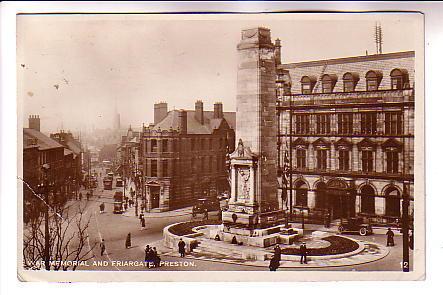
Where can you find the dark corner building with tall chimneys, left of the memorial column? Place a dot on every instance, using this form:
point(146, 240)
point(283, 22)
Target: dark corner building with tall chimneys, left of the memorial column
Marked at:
point(183, 155)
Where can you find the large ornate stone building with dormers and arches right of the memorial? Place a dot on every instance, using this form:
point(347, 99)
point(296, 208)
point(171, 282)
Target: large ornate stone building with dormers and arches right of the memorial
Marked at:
point(346, 134)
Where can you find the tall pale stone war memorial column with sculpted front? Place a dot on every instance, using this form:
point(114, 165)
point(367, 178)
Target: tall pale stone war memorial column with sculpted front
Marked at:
point(253, 213)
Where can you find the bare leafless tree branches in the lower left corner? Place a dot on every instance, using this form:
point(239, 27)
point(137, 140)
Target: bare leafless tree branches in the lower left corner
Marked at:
point(68, 240)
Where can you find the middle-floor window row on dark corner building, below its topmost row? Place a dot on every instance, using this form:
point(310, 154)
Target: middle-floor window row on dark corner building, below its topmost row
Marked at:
point(193, 165)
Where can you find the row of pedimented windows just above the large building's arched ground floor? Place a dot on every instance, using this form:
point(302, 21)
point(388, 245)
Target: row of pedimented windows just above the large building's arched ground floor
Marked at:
point(367, 160)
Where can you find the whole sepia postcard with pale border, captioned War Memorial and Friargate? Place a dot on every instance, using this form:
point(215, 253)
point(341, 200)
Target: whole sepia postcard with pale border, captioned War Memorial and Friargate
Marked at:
point(220, 147)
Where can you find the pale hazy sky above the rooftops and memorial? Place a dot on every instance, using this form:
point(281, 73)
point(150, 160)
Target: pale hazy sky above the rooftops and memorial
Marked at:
point(75, 71)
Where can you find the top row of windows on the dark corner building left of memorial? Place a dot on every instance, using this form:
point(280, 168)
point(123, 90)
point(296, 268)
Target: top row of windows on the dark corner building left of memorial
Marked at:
point(195, 144)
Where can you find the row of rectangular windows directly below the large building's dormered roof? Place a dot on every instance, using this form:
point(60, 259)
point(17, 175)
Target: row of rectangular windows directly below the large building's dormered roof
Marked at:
point(393, 123)
